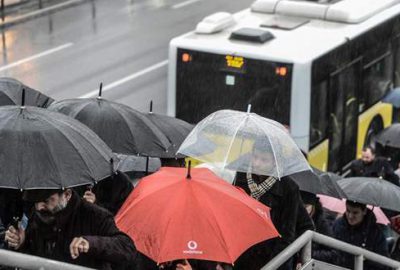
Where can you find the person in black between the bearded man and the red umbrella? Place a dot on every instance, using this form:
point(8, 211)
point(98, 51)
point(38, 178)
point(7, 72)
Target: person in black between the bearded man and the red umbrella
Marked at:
point(110, 193)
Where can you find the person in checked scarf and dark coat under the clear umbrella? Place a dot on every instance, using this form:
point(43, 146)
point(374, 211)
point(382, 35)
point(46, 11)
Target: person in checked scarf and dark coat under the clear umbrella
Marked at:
point(282, 196)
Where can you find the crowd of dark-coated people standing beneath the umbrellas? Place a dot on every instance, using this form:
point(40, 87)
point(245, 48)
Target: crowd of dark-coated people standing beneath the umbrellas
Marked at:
point(76, 225)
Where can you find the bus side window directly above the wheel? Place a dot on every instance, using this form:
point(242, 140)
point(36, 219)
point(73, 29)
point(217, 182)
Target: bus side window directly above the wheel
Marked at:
point(377, 80)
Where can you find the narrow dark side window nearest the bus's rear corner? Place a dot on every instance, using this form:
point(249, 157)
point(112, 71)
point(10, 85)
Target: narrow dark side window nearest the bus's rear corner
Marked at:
point(319, 113)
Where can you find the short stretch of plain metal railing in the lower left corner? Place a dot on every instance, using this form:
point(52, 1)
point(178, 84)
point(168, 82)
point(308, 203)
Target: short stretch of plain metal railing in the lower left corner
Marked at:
point(29, 262)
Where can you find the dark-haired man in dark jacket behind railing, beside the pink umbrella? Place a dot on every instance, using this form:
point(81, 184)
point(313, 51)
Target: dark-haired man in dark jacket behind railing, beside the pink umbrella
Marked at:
point(358, 227)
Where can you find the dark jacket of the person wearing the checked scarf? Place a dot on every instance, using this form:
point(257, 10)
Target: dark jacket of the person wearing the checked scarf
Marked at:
point(284, 200)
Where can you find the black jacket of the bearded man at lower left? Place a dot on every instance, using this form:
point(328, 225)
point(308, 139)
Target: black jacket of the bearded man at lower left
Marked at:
point(109, 248)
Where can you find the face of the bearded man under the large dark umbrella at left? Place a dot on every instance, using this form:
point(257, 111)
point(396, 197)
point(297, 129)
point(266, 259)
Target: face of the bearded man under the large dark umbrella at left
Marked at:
point(47, 209)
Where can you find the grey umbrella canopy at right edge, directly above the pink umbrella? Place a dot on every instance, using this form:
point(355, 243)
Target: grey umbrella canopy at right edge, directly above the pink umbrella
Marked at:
point(373, 191)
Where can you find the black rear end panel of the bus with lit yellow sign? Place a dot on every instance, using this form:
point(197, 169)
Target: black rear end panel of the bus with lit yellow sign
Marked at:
point(207, 82)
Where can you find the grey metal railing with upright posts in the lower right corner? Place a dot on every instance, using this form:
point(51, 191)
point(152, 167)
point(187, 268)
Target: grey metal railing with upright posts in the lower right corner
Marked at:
point(304, 242)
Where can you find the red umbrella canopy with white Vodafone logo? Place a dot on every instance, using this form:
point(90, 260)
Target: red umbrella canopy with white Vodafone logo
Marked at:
point(174, 215)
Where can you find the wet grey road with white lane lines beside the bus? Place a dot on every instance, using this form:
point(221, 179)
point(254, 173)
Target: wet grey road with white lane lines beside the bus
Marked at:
point(123, 44)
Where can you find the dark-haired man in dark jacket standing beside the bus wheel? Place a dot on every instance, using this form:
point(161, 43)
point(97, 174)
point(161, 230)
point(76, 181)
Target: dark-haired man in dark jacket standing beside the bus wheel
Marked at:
point(371, 166)
